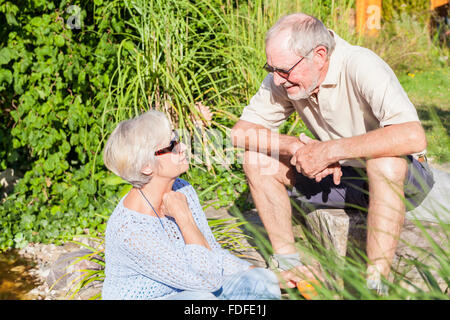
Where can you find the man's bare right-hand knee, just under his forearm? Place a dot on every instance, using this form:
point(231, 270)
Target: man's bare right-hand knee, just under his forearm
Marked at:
point(392, 169)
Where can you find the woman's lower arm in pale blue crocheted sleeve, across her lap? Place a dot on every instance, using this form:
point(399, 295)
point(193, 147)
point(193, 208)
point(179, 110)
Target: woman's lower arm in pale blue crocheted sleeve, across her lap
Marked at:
point(146, 249)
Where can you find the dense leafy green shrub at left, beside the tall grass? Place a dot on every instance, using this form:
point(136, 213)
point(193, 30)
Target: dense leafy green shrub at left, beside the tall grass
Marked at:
point(53, 84)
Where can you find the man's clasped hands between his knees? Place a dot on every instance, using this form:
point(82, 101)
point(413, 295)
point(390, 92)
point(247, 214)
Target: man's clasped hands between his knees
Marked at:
point(311, 160)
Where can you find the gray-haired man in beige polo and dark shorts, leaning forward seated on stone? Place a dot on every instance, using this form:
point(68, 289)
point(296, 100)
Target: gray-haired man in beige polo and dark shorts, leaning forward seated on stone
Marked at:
point(364, 125)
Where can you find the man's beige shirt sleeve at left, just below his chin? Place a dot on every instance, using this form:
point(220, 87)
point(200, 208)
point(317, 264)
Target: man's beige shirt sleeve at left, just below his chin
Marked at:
point(269, 107)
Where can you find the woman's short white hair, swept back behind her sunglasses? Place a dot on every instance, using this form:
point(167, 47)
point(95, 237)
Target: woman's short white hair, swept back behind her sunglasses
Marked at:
point(132, 145)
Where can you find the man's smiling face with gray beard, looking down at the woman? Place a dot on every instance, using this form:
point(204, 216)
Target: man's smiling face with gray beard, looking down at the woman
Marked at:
point(303, 79)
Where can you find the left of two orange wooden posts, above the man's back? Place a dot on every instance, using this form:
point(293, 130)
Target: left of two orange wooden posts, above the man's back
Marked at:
point(368, 16)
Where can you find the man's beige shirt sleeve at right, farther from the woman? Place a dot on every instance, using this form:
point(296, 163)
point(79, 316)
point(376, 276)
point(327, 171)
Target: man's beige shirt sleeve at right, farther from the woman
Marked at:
point(381, 89)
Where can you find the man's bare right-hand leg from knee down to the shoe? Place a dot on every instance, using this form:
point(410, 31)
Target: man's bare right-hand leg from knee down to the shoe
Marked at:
point(386, 211)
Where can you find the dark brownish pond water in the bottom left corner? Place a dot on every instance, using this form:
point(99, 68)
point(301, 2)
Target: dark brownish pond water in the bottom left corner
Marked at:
point(15, 279)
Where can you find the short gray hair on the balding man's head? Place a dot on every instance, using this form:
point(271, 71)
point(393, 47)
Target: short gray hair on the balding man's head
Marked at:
point(305, 33)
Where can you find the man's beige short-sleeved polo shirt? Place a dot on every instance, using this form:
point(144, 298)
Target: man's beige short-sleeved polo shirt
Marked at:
point(360, 93)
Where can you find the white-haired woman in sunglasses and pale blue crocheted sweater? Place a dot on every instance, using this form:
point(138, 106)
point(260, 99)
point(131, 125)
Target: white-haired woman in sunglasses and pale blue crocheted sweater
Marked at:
point(158, 244)
